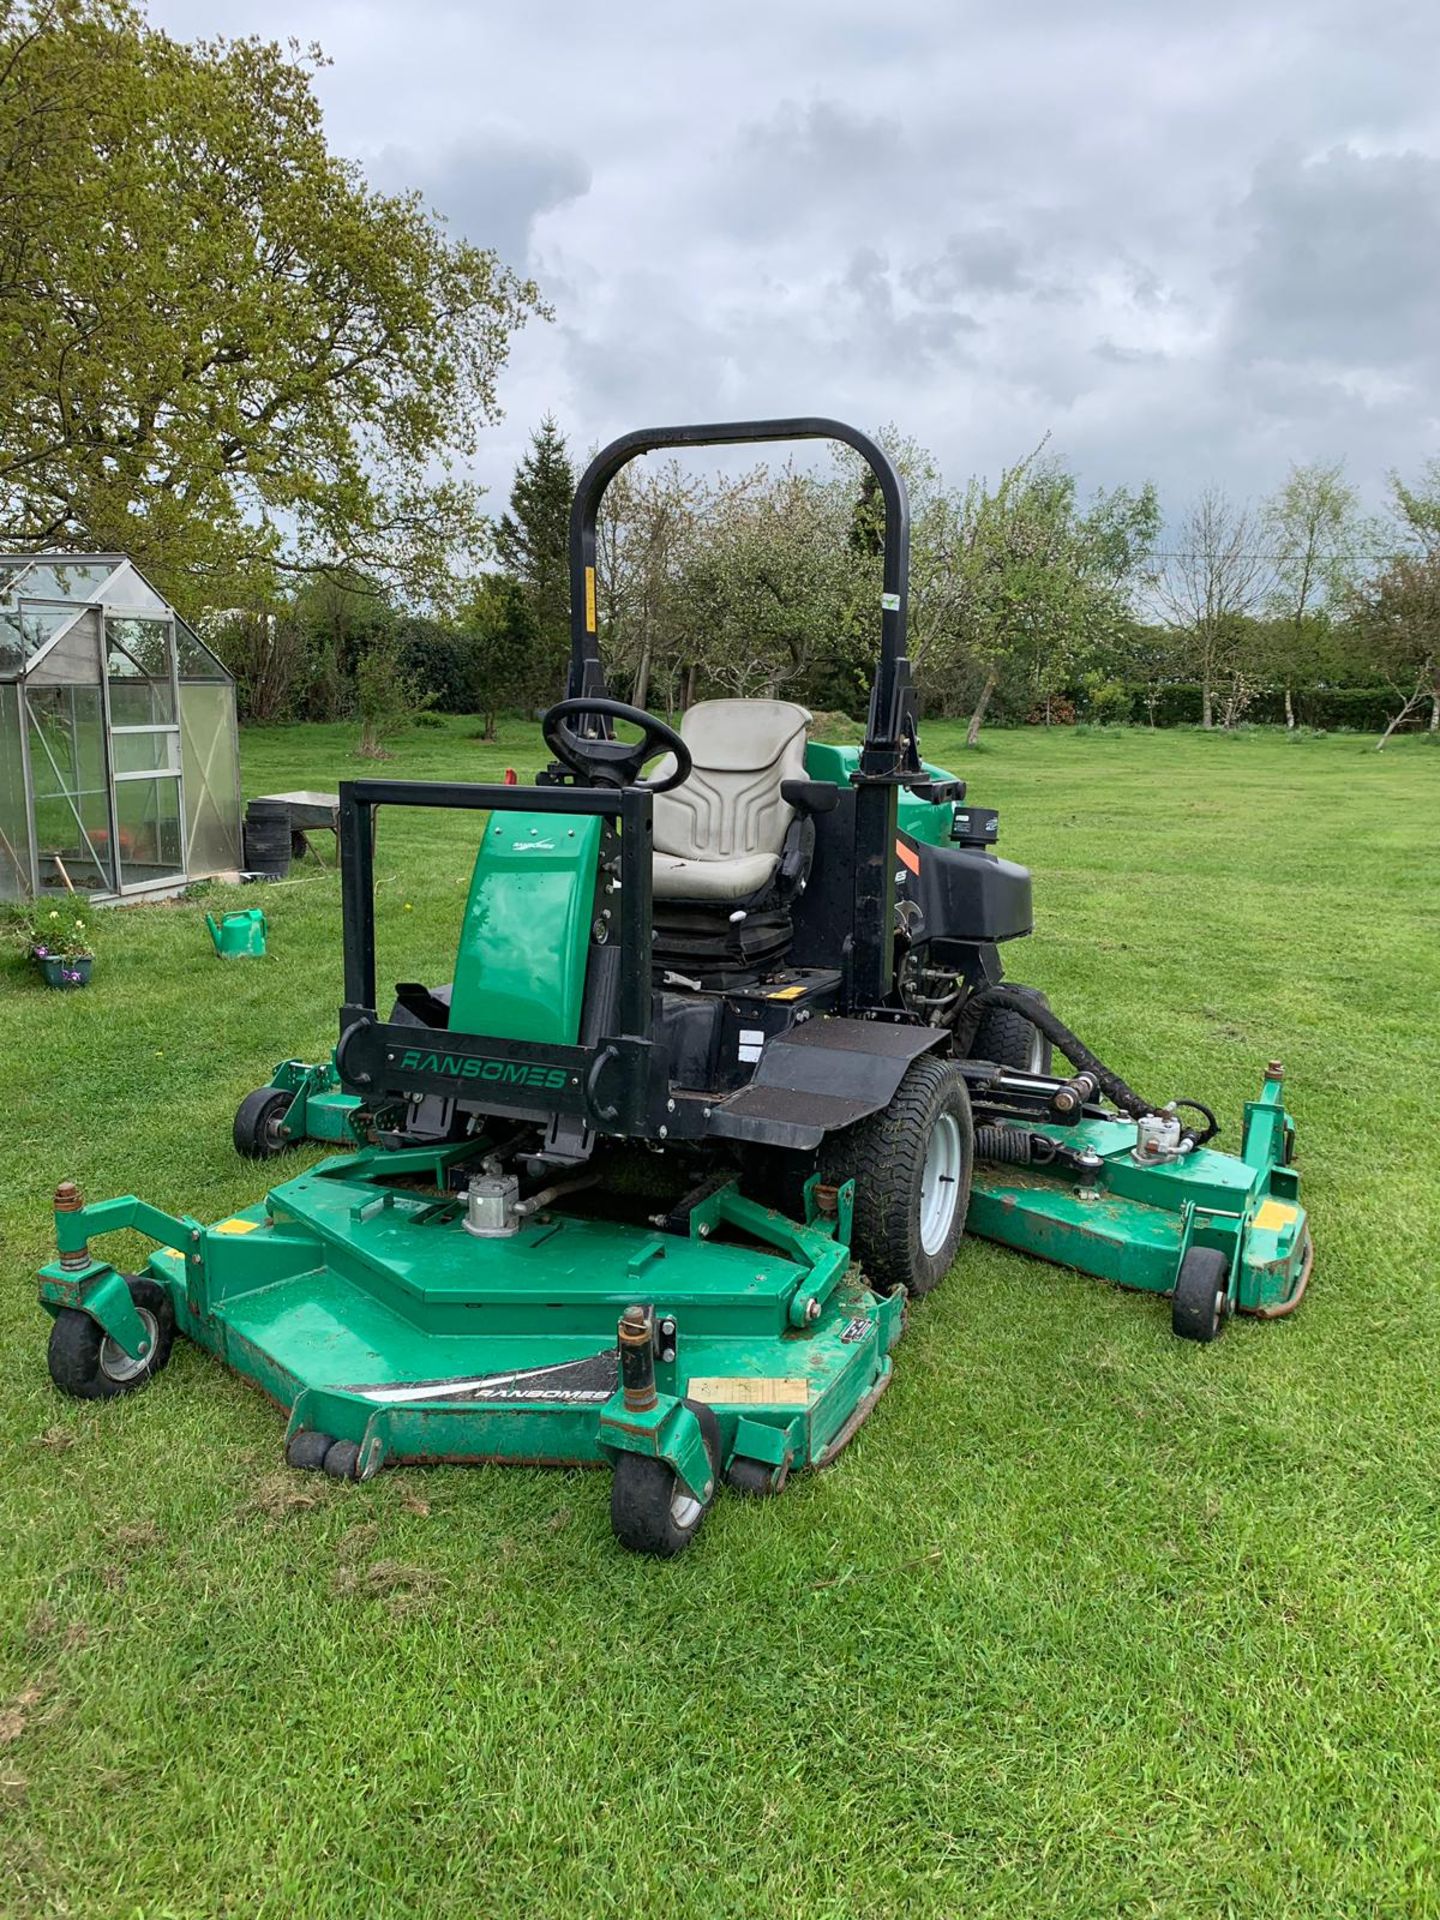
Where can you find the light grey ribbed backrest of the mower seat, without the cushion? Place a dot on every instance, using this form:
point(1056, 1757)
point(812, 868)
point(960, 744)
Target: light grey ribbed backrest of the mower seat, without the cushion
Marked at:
point(731, 804)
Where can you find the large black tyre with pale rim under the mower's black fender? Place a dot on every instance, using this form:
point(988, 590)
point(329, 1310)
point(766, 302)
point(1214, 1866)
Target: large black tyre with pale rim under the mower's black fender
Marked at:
point(911, 1166)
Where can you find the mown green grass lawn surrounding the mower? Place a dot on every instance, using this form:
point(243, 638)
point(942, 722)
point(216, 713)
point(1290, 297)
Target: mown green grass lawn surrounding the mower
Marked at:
point(1088, 1620)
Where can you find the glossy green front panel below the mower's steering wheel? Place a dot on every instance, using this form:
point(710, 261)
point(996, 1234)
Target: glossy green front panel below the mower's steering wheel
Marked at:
point(521, 963)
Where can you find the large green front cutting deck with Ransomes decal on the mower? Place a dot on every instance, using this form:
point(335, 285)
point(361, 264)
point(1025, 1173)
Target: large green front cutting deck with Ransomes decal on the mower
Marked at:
point(370, 1312)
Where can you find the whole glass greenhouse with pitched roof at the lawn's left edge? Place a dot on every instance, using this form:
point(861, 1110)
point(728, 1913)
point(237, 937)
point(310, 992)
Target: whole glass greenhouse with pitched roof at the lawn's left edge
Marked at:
point(120, 769)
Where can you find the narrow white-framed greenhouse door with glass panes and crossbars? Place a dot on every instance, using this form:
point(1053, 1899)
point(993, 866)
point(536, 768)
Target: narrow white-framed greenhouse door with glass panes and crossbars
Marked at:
point(145, 754)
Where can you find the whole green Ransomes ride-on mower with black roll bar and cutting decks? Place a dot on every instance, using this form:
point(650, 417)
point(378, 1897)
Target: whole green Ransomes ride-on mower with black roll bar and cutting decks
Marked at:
point(725, 1070)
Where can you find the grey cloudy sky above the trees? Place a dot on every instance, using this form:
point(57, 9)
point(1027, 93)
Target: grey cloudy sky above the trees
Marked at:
point(1191, 243)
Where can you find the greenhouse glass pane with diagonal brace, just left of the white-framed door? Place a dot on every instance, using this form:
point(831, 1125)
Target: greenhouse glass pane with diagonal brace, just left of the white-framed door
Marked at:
point(70, 786)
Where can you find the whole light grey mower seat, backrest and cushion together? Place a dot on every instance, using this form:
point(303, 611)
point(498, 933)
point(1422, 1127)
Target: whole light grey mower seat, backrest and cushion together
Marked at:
point(719, 836)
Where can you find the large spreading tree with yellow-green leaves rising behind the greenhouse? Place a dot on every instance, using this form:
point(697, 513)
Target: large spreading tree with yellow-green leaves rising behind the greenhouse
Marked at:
point(220, 348)
